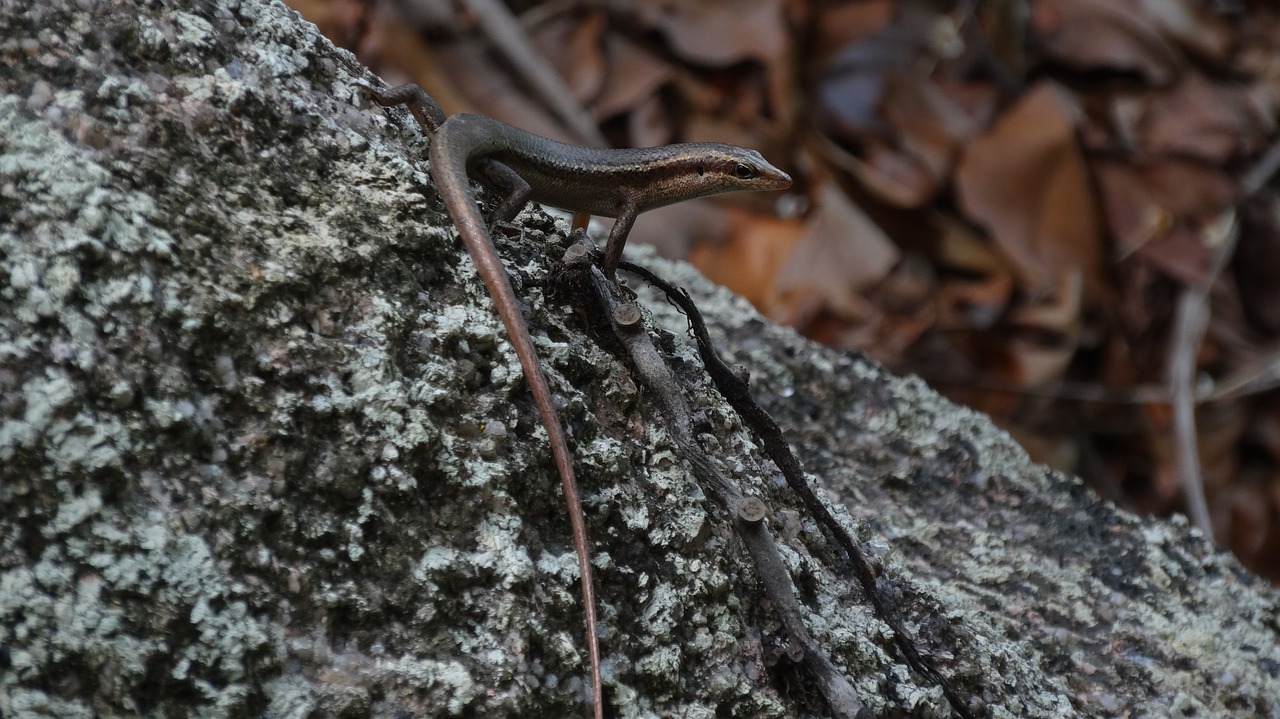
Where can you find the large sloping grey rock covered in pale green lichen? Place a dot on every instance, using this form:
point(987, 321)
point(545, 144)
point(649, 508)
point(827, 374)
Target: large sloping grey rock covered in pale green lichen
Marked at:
point(266, 451)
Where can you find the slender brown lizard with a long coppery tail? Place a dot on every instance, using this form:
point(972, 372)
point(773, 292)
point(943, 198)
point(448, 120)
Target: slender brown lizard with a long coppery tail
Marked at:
point(612, 184)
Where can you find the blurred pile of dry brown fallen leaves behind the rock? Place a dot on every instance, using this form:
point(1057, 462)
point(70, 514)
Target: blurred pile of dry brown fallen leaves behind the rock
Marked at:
point(1058, 212)
